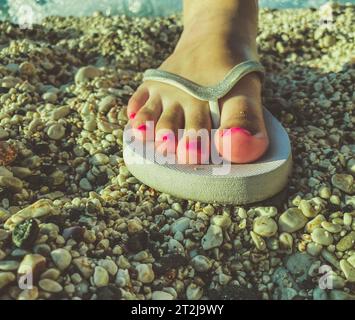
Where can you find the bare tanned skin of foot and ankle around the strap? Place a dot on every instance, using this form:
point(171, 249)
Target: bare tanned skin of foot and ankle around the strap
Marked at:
point(217, 35)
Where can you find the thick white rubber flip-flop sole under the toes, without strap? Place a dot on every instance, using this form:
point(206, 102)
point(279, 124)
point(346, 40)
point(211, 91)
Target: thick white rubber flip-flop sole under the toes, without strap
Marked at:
point(246, 183)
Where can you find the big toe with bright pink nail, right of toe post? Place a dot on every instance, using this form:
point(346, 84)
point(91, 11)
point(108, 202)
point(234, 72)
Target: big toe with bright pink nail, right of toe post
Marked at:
point(242, 137)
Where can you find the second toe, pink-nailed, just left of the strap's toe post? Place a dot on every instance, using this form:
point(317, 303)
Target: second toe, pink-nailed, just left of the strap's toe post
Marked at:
point(194, 146)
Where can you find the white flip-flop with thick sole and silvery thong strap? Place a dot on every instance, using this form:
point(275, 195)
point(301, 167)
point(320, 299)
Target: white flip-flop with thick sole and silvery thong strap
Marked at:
point(245, 183)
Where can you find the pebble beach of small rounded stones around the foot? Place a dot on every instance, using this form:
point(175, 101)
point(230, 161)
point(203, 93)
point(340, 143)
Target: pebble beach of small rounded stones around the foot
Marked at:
point(71, 212)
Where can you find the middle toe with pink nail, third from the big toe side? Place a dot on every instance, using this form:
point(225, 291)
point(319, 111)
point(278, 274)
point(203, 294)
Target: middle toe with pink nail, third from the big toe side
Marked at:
point(166, 133)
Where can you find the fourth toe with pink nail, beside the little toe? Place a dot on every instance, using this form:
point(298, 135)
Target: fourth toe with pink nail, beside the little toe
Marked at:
point(146, 118)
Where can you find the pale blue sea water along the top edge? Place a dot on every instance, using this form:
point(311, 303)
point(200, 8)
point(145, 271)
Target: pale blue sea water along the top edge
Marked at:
point(16, 9)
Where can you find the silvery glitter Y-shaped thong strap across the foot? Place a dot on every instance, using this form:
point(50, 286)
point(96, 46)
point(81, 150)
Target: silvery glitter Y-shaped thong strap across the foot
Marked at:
point(211, 94)
